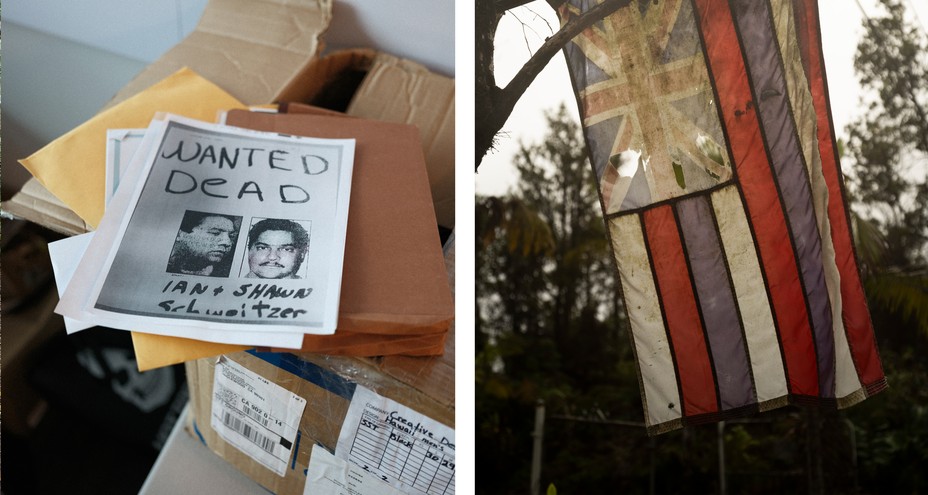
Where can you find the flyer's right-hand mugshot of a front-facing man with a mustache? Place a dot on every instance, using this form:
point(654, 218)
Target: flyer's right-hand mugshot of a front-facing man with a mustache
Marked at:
point(276, 249)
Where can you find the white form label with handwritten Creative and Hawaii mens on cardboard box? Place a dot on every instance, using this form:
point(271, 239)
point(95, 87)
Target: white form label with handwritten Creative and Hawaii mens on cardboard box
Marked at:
point(398, 445)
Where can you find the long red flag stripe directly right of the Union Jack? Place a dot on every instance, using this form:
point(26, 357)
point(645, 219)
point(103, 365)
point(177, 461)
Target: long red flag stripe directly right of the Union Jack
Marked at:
point(760, 193)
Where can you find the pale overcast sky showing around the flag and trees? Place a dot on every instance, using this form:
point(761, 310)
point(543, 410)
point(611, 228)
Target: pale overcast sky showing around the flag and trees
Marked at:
point(841, 28)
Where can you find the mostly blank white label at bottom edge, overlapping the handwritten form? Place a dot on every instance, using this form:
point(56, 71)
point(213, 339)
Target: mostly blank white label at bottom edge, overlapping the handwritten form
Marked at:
point(329, 475)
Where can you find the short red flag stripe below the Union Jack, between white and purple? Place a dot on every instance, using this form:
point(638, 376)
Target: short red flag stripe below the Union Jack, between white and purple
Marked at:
point(687, 336)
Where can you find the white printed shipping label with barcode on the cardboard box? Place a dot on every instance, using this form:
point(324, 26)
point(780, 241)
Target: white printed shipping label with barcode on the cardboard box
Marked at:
point(256, 416)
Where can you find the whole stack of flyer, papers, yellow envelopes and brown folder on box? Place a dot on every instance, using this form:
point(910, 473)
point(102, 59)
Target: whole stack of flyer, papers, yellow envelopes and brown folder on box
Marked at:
point(312, 231)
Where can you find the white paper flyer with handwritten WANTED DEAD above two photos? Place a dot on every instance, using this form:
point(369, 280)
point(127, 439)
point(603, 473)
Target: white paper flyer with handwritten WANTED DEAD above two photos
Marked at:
point(219, 228)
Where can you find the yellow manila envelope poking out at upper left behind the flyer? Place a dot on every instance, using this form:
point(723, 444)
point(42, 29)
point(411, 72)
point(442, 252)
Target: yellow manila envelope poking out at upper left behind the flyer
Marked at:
point(73, 167)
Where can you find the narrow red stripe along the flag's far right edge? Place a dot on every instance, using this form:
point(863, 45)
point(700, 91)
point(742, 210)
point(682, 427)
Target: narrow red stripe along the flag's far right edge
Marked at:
point(856, 316)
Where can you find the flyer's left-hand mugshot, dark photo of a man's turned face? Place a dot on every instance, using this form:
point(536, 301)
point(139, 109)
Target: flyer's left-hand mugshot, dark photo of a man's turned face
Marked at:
point(204, 244)
